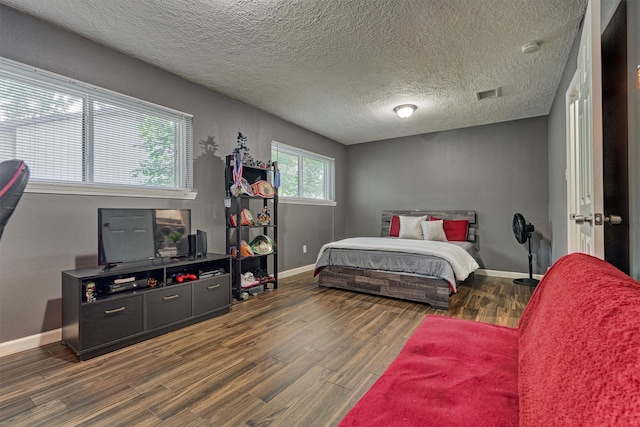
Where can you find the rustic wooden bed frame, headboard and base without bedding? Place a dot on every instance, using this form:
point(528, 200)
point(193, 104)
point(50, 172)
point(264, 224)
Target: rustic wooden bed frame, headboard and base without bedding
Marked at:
point(434, 292)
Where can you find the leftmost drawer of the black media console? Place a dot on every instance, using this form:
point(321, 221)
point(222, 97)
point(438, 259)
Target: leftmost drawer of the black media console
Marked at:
point(103, 322)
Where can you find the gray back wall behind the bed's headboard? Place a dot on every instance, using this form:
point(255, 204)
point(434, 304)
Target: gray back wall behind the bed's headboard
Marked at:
point(496, 170)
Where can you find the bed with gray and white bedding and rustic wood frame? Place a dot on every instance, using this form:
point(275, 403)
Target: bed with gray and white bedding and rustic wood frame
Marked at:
point(412, 269)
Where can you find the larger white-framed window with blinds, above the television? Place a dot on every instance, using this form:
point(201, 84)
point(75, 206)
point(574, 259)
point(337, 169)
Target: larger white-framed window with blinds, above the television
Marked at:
point(82, 139)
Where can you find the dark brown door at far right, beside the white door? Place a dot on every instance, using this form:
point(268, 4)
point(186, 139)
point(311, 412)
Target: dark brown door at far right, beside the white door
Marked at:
point(615, 138)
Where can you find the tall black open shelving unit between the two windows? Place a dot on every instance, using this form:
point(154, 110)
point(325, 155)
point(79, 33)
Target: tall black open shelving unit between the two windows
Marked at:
point(264, 265)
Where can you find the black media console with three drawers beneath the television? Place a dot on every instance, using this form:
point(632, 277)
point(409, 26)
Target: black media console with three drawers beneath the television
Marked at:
point(104, 310)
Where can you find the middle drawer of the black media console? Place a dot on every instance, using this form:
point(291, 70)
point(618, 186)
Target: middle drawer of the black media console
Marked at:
point(168, 305)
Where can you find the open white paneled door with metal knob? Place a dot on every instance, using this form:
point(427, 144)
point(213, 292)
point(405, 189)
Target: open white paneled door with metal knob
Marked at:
point(584, 143)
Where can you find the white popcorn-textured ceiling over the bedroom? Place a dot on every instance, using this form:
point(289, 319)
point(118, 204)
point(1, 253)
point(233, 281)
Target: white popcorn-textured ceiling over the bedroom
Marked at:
point(339, 67)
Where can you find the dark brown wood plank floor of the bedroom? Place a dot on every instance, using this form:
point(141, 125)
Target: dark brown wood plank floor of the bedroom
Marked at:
point(298, 356)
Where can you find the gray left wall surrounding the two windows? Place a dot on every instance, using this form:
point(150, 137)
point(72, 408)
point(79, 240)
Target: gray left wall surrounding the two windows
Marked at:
point(50, 233)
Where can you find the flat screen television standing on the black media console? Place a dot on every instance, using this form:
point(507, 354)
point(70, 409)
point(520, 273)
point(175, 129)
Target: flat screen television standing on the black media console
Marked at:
point(129, 235)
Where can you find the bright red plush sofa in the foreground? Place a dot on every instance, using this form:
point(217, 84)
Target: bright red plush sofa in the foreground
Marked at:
point(574, 360)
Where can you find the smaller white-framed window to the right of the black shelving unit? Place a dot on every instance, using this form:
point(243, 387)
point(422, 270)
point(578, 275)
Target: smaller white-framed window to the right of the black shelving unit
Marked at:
point(304, 176)
